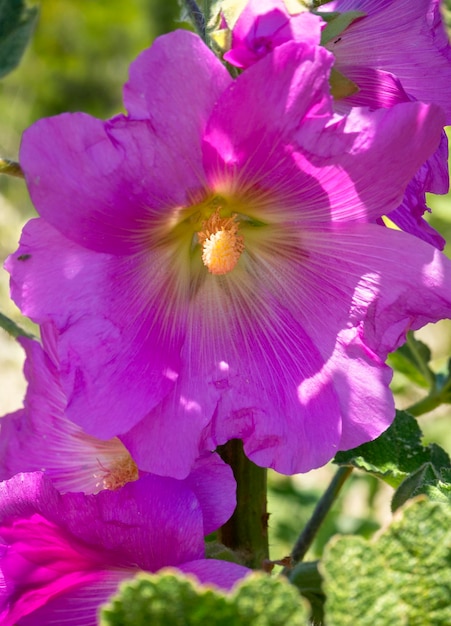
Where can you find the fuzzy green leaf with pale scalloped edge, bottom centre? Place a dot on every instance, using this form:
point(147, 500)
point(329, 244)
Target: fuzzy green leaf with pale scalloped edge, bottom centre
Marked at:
point(172, 598)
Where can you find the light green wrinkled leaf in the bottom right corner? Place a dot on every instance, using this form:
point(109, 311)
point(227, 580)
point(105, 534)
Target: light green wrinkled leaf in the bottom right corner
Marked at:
point(402, 578)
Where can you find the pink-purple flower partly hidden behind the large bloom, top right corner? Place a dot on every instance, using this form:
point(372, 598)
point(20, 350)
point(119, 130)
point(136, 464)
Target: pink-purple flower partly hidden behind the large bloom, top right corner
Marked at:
point(399, 40)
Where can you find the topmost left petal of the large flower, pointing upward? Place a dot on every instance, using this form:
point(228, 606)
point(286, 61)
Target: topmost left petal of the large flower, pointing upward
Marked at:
point(162, 81)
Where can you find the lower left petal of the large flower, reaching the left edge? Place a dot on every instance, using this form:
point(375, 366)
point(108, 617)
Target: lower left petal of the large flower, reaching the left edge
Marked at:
point(114, 304)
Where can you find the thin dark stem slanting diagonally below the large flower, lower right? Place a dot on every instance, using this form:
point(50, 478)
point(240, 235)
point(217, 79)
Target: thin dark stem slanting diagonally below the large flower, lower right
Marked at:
point(323, 507)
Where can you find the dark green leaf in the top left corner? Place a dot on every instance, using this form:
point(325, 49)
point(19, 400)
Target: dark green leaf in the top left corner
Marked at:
point(17, 23)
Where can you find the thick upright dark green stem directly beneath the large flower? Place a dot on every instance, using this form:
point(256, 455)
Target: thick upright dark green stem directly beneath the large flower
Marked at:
point(246, 532)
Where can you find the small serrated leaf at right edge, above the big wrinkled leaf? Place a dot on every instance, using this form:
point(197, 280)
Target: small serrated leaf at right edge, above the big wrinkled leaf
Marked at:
point(429, 479)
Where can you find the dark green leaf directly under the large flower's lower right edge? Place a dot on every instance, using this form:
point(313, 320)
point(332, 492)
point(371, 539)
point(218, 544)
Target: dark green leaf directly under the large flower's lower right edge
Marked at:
point(397, 453)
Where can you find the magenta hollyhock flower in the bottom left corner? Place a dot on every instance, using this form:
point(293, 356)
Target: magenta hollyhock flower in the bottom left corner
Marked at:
point(66, 554)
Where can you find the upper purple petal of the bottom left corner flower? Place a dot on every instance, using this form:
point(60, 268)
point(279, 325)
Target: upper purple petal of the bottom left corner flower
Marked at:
point(162, 517)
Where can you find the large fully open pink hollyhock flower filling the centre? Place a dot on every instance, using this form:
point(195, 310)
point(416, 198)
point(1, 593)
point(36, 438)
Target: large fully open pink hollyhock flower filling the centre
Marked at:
point(212, 264)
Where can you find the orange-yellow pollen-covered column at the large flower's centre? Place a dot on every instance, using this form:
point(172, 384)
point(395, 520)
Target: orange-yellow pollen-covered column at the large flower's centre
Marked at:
point(221, 244)
